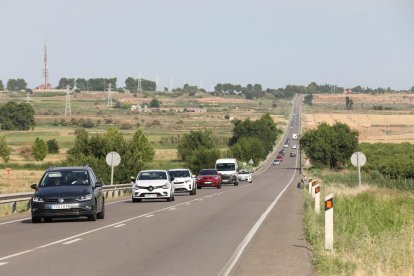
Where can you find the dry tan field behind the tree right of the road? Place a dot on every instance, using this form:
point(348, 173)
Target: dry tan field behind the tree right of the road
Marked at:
point(391, 126)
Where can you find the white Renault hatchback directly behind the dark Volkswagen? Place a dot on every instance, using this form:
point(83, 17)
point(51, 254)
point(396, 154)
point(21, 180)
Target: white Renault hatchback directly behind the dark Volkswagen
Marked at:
point(153, 184)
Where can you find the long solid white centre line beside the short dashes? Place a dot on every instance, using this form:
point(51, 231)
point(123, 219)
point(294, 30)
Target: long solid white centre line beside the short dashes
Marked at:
point(105, 227)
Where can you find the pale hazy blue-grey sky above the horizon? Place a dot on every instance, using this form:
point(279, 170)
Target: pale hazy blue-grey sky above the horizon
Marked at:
point(275, 43)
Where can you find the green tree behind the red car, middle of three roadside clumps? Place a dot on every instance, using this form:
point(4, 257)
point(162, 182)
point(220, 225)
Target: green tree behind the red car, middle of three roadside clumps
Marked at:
point(195, 140)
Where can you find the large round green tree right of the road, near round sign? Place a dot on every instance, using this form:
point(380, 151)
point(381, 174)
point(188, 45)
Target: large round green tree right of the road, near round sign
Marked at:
point(329, 146)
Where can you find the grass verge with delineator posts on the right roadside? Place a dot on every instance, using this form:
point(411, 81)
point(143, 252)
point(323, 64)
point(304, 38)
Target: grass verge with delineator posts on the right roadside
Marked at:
point(373, 230)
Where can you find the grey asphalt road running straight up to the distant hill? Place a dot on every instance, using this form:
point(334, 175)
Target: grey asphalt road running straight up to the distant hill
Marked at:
point(212, 233)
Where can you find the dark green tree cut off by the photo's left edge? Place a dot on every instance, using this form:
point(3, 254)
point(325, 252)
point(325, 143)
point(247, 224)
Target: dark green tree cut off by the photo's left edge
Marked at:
point(15, 116)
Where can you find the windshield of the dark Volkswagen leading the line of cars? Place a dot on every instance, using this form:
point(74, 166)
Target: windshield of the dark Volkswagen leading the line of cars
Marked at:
point(65, 178)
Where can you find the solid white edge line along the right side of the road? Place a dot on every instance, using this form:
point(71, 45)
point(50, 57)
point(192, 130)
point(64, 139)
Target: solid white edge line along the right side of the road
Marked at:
point(239, 250)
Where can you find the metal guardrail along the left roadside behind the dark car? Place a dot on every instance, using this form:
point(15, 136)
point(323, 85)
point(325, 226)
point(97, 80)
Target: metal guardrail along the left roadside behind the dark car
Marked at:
point(113, 190)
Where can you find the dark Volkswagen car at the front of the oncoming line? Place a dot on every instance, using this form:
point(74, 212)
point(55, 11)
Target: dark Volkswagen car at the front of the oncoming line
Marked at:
point(67, 192)
